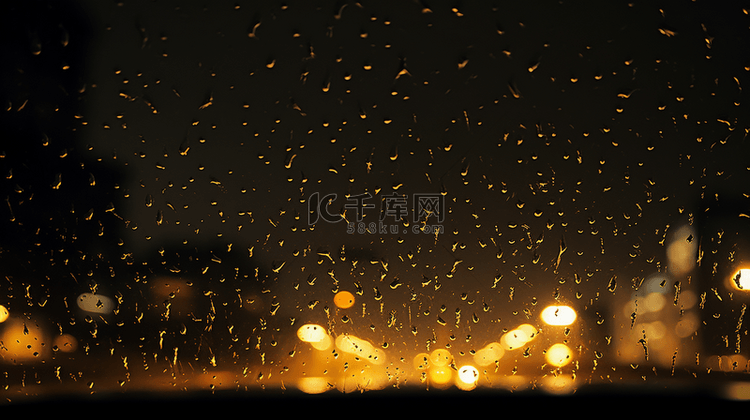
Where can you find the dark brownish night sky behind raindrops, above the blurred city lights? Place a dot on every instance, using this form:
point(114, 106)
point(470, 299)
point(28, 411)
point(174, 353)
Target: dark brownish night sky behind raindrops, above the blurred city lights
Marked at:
point(597, 153)
